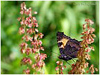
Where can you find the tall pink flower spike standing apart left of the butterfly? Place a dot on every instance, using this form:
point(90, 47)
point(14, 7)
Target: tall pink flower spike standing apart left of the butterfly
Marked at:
point(31, 41)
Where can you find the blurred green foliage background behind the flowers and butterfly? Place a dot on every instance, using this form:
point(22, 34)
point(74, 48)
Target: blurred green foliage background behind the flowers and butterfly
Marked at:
point(53, 16)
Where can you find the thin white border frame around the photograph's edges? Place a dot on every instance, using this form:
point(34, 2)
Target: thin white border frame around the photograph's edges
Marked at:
point(49, 0)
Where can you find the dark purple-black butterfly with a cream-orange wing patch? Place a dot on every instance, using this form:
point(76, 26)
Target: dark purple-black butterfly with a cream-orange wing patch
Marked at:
point(68, 47)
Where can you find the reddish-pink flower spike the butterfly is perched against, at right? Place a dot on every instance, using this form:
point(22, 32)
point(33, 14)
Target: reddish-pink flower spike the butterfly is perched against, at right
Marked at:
point(83, 54)
